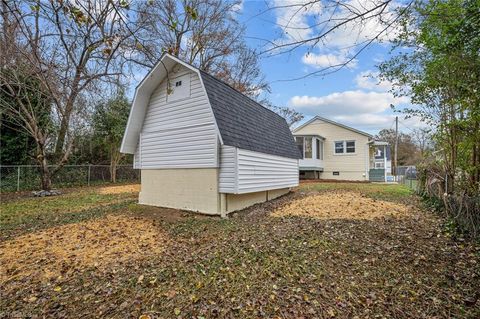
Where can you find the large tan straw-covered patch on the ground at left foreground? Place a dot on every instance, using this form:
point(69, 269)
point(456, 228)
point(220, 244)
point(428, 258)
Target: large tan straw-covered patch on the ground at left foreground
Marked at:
point(67, 249)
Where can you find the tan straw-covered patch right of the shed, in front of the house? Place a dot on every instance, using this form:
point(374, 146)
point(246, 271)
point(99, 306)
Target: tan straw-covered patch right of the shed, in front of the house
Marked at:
point(341, 205)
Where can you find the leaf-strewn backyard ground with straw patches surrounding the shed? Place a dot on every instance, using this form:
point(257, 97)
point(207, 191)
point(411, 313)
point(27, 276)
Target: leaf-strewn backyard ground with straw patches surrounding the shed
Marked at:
point(325, 251)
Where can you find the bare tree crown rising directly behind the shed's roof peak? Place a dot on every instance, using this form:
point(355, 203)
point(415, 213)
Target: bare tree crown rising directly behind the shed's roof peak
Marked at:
point(204, 33)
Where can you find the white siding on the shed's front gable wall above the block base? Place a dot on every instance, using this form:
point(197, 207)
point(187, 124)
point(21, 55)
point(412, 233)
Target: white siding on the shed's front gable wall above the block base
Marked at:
point(180, 133)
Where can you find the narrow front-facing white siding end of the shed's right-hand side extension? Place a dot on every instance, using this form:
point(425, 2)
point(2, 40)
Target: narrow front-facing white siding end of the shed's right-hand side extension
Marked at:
point(228, 169)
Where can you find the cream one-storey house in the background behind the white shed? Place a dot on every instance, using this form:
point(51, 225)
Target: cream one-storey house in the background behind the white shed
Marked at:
point(331, 150)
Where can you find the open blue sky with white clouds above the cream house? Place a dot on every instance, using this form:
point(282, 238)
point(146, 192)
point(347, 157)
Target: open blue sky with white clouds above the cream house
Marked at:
point(350, 95)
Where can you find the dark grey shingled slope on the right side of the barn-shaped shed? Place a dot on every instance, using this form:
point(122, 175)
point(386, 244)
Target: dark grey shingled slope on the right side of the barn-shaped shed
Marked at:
point(245, 124)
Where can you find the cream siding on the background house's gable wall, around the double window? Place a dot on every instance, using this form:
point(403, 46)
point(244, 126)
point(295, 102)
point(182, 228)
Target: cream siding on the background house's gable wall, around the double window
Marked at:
point(350, 166)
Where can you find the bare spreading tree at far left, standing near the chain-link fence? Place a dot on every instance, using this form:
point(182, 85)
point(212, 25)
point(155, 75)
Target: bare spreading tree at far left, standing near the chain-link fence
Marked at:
point(61, 50)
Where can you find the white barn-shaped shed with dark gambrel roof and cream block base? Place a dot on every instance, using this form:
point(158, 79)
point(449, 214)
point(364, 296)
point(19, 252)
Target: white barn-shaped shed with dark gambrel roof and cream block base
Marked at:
point(203, 146)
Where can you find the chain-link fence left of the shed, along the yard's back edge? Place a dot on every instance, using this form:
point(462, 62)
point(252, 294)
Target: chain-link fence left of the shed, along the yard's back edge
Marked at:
point(27, 177)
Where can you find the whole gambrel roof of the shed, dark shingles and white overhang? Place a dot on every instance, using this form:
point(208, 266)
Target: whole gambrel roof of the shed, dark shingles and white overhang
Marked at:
point(241, 121)
